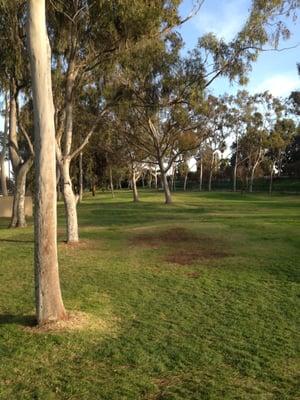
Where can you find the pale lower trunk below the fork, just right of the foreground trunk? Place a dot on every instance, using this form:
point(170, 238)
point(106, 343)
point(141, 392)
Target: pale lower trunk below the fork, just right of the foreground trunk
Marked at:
point(70, 202)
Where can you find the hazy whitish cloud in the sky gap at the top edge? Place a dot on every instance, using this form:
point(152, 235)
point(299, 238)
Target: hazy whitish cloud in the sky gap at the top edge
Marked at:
point(225, 20)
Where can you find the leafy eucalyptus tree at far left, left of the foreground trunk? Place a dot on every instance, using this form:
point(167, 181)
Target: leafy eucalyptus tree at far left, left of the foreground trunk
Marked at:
point(15, 77)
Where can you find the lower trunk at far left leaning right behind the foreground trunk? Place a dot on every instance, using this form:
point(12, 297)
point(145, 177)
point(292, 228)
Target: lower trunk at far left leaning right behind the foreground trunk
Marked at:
point(18, 219)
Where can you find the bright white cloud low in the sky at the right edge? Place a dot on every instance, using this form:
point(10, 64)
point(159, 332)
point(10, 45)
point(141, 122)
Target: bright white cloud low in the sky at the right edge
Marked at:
point(278, 84)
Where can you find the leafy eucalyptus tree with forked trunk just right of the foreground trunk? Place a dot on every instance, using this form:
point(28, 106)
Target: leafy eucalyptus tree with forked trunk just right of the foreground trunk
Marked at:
point(87, 38)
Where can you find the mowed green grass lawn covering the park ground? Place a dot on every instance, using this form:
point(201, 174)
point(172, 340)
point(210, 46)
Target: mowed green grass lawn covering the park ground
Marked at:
point(198, 300)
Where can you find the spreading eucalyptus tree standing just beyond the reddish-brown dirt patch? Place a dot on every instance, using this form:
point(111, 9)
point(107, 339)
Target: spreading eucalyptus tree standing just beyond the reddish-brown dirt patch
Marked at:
point(160, 93)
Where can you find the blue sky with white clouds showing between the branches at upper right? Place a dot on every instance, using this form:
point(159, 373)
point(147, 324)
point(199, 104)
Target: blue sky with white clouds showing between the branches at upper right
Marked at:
point(273, 71)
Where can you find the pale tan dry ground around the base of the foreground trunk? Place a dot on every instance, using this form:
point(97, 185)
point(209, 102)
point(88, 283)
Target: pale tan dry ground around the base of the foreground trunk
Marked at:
point(76, 320)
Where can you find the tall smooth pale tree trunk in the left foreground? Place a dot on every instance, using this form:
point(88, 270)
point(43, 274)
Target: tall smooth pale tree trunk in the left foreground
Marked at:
point(49, 304)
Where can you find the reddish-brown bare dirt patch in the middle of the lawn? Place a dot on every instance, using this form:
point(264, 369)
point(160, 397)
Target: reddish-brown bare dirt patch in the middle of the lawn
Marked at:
point(184, 247)
